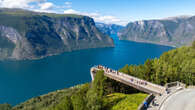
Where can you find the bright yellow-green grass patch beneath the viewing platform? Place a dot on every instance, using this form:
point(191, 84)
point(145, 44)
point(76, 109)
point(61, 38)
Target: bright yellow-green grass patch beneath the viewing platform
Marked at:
point(119, 101)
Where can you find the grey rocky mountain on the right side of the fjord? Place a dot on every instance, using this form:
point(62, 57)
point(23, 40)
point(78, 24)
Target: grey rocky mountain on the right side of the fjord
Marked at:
point(175, 31)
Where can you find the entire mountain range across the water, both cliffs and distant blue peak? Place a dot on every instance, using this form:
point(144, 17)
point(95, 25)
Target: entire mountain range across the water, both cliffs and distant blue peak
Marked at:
point(33, 35)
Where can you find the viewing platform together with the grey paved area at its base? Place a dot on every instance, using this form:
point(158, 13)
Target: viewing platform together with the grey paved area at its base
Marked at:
point(171, 96)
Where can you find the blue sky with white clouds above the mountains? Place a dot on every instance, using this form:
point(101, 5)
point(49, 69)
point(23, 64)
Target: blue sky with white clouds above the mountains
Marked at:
point(109, 11)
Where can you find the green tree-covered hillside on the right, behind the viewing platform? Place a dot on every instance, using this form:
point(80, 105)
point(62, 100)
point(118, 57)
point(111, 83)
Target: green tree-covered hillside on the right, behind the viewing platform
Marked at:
point(175, 65)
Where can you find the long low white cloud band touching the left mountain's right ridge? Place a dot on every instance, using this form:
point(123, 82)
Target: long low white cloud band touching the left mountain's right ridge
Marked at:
point(98, 17)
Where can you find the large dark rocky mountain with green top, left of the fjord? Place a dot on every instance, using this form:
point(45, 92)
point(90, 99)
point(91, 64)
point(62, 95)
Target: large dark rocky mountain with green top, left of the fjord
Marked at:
point(32, 35)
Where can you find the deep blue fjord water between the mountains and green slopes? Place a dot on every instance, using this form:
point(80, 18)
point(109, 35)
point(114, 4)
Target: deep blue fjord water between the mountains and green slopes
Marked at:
point(21, 80)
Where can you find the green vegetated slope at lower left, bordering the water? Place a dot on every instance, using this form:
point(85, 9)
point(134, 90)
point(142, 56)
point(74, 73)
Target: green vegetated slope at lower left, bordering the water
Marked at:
point(48, 101)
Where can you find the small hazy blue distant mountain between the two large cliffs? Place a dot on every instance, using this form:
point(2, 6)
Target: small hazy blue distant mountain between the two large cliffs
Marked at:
point(109, 28)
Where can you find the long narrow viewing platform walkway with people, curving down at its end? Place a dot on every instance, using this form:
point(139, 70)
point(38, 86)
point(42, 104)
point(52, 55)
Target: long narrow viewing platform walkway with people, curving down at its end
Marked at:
point(132, 81)
